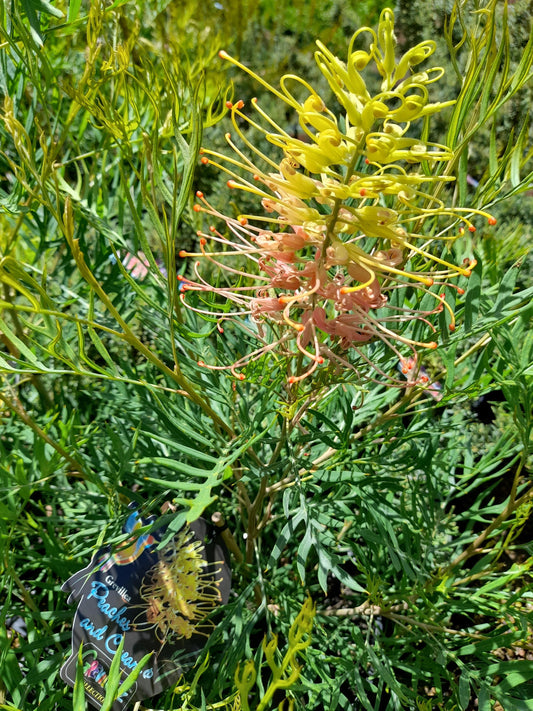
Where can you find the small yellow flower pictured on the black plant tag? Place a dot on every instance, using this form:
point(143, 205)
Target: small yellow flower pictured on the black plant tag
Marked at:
point(179, 591)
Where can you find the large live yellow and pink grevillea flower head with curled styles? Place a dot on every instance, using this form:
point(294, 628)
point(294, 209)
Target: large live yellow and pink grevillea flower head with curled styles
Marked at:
point(340, 257)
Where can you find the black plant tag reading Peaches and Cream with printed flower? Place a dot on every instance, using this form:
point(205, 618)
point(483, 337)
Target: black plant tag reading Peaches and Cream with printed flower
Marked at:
point(155, 599)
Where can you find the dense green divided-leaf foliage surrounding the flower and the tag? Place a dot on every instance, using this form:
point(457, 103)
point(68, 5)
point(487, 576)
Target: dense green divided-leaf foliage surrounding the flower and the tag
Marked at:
point(406, 519)
